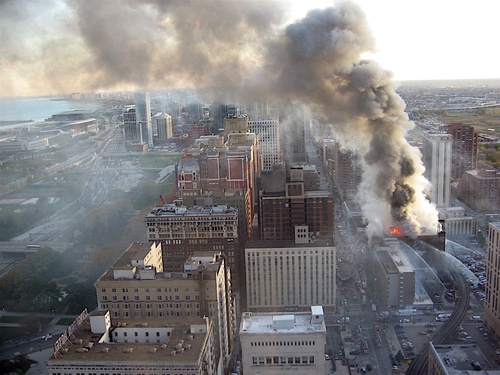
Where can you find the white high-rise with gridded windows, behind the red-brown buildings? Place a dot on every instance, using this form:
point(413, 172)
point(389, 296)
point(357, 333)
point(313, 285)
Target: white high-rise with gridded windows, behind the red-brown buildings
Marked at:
point(268, 139)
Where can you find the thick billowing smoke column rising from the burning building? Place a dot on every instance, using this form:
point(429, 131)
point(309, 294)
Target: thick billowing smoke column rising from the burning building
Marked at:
point(318, 61)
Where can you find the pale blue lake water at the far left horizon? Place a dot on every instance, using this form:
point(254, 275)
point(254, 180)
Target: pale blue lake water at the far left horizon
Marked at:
point(38, 109)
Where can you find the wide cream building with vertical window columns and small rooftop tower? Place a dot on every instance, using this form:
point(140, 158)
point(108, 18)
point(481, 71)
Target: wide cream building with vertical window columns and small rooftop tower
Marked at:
point(290, 274)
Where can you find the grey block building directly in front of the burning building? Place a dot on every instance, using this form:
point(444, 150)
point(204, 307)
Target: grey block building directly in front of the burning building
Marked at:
point(394, 275)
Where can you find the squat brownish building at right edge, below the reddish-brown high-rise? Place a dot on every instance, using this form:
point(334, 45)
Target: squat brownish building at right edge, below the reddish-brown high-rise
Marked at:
point(480, 190)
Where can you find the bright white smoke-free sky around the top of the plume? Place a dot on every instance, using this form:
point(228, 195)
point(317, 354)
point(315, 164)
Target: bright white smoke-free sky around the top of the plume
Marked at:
point(432, 39)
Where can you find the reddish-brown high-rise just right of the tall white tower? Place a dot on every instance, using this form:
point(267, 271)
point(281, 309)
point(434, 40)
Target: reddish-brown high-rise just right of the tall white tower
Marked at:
point(464, 149)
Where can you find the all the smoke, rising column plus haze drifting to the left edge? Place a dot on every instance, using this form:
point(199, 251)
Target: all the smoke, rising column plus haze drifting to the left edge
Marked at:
point(317, 61)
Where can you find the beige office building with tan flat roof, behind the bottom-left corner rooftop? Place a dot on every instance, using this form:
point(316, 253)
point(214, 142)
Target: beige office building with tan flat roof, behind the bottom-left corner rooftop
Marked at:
point(133, 290)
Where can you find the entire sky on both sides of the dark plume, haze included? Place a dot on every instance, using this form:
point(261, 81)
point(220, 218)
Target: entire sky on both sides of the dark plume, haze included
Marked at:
point(62, 46)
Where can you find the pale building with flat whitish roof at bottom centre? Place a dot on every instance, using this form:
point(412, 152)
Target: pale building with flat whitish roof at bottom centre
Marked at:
point(283, 343)
